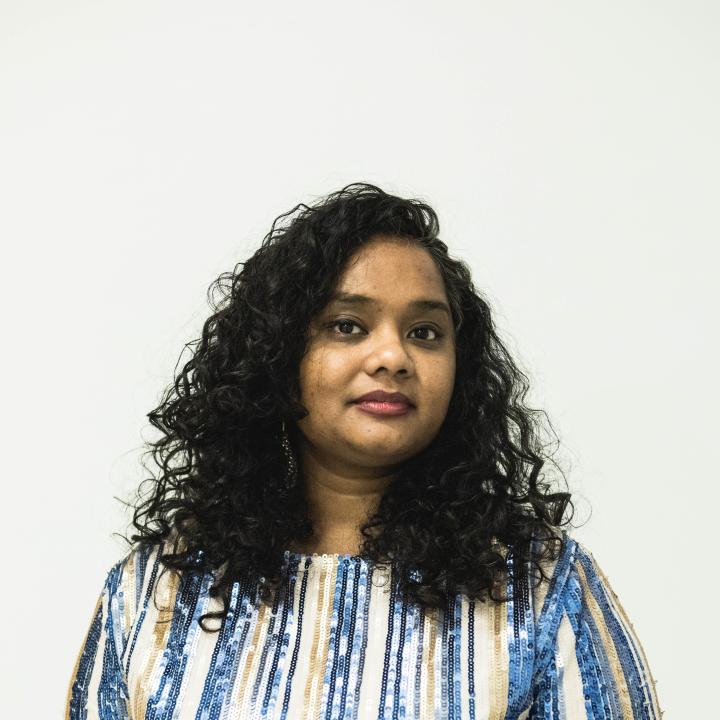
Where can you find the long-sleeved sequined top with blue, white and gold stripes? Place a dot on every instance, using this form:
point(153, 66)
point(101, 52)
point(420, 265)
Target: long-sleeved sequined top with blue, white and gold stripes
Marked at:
point(339, 643)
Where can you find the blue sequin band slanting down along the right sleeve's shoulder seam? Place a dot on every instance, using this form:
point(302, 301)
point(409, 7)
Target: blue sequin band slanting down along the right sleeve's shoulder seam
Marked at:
point(552, 610)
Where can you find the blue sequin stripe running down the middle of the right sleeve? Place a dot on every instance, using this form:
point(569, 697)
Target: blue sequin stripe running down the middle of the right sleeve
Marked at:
point(589, 652)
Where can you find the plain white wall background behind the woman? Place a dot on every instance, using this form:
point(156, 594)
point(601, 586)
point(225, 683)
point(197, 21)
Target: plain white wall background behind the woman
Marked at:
point(571, 151)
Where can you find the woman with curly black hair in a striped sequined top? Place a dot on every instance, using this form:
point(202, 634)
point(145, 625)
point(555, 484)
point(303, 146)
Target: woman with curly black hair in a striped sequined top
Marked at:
point(349, 519)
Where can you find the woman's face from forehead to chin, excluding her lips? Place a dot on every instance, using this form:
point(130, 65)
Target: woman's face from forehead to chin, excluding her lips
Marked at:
point(390, 342)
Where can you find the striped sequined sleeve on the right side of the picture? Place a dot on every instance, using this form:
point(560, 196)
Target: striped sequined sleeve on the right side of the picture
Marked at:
point(594, 666)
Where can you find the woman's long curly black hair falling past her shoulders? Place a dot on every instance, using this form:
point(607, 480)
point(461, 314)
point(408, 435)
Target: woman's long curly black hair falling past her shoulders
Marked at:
point(459, 516)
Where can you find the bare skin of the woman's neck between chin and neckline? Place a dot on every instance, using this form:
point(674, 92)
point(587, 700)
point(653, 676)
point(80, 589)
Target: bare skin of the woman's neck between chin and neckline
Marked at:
point(340, 498)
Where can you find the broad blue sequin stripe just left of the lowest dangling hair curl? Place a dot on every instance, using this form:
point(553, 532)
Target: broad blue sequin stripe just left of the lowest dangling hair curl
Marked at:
point(183, 630)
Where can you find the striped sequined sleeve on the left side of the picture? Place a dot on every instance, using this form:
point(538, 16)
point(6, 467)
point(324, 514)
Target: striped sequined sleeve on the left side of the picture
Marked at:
point(98, 687)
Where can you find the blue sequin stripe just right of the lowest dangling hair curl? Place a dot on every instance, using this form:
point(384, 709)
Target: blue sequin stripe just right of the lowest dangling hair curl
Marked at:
point(223, 656)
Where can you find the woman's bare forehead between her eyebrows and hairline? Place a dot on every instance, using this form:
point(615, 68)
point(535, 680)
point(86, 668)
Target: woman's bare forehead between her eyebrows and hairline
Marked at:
point(391, 269)
